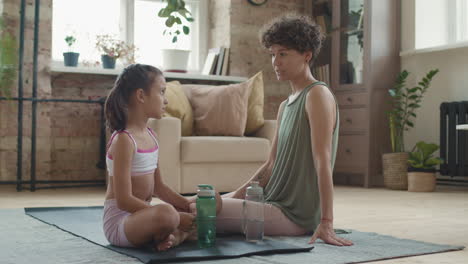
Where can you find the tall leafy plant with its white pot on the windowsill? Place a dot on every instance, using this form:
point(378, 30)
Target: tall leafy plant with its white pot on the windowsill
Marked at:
point(177, 22)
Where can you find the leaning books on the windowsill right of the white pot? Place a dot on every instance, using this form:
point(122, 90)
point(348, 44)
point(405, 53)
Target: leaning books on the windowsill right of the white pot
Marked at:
point(216, 62)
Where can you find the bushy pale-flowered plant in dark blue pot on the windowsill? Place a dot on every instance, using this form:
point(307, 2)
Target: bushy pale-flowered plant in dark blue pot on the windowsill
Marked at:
point(112, 49)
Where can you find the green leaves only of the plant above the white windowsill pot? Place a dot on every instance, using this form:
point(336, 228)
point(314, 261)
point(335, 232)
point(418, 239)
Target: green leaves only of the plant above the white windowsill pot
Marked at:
point(175, 13)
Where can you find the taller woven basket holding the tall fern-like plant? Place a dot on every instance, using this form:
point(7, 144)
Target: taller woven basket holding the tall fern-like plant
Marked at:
point(395, 170)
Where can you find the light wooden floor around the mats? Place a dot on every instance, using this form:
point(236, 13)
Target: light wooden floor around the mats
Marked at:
point(438, 217)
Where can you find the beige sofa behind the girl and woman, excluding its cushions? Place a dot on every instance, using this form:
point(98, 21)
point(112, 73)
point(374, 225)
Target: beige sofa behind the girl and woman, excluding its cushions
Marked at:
point(224, 162)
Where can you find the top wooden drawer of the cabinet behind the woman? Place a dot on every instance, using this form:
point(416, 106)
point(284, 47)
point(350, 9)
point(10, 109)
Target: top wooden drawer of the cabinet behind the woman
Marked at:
point(353, 120)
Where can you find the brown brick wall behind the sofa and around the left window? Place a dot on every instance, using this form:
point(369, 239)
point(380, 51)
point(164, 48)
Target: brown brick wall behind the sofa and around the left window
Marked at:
point(68, 133)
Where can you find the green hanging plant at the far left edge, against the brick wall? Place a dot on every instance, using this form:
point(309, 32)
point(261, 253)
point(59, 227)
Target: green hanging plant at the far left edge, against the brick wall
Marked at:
point(8, 61)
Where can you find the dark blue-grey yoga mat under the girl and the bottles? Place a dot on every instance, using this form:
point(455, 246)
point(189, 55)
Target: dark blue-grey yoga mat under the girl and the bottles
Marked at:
point(86, 222)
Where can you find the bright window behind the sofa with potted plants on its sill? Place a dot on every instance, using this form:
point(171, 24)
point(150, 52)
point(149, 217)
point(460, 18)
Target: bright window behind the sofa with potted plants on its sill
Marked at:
point(134, 21)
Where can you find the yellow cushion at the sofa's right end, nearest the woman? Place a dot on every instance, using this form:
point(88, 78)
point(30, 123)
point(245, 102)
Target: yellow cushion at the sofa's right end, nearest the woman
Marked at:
point(255, 118)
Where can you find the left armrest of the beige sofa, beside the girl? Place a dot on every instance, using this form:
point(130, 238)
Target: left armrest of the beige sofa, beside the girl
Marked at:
point(168, 132)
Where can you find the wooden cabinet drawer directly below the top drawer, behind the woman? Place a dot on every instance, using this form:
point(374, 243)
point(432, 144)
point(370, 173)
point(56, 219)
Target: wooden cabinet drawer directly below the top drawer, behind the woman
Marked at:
point(351, 155)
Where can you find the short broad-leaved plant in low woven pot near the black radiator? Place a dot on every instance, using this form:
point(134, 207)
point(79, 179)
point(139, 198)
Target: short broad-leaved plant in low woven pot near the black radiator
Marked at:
point(421, 171)
